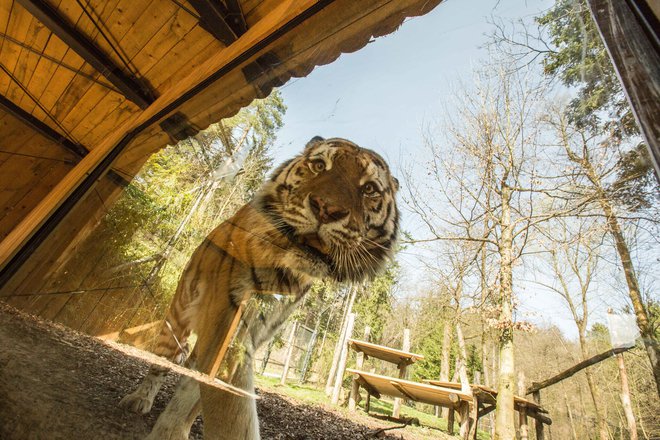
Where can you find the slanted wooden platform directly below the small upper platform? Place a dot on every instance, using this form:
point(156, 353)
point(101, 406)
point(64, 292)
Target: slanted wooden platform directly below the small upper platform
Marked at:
point(406, 389)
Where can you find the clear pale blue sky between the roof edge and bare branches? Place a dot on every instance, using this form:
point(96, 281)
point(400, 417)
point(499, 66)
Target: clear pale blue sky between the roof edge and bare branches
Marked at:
point(382, 97)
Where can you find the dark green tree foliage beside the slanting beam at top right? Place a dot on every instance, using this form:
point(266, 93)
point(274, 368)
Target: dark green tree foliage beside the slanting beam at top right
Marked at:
point(581, 61)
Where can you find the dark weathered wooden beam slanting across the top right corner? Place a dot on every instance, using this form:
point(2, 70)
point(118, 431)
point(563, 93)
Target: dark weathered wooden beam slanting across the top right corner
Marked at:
point(629, 30)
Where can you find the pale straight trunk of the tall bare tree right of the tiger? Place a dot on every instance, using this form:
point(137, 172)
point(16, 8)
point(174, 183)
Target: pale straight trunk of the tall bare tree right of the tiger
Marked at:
point(505, 414)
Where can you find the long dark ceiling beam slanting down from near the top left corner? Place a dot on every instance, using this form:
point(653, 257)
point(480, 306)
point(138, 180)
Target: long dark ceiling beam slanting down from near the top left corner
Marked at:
point(129, 85)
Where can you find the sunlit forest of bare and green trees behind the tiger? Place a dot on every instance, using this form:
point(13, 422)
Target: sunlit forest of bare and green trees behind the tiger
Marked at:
point(539, 187)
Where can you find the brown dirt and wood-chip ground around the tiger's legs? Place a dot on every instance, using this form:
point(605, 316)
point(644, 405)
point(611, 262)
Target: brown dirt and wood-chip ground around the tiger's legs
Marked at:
point(56, 383)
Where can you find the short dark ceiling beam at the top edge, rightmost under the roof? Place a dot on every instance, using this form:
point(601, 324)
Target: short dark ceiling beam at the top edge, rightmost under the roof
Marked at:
point(224, 21)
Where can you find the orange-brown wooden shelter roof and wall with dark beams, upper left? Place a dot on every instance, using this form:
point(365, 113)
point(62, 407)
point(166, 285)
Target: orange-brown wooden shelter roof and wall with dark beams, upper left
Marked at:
point(89, 90)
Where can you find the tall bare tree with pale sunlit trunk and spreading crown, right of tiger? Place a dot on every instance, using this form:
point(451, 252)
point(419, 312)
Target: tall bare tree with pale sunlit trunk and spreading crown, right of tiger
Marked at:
point(491, 193)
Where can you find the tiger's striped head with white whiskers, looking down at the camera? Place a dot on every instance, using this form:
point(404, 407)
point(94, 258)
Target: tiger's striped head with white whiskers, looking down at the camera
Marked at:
point(336, 201)
